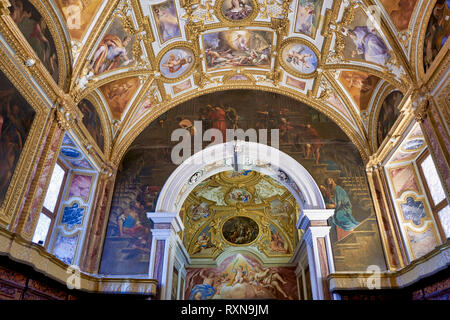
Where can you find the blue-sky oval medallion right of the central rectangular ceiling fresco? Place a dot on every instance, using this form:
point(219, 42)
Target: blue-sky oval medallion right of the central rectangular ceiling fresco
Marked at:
point(298, 58)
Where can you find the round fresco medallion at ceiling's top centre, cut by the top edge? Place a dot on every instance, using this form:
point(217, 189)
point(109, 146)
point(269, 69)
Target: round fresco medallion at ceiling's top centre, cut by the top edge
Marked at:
point(237, 10)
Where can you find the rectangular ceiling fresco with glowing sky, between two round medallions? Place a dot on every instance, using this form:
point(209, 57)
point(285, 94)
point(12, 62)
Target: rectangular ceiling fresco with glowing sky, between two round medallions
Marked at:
point(236, 48)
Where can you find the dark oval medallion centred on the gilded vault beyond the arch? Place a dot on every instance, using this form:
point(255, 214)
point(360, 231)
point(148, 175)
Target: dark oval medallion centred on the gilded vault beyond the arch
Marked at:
point(240, 230)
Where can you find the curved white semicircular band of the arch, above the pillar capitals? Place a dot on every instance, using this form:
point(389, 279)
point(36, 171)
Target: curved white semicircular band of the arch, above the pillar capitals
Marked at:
point(255, 156)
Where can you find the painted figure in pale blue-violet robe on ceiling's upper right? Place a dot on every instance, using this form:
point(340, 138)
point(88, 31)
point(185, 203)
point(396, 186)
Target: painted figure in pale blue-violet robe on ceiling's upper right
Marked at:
point(368, 44)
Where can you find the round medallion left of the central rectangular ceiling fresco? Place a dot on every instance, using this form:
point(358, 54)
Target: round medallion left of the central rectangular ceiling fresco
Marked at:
point(176, 63)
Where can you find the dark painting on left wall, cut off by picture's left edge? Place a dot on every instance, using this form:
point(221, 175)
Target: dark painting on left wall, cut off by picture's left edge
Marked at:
point(16, 117)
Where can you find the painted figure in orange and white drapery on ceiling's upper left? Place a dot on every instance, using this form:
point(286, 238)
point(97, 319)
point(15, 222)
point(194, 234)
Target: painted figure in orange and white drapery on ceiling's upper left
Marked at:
point(109, 52)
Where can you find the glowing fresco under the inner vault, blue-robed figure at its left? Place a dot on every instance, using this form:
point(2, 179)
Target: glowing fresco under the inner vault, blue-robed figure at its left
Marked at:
point(241, 276)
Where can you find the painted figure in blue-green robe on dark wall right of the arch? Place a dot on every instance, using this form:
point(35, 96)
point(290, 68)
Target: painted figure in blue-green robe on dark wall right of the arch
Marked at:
point(342, 219)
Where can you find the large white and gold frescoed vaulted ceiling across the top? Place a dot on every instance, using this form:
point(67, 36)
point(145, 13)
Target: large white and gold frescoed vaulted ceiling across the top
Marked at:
point(135, 59)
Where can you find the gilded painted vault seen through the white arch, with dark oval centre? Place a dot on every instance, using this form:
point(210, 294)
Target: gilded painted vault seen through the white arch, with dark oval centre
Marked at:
point(239, 209)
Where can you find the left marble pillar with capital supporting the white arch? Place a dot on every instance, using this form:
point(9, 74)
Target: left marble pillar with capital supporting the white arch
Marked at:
point(166, 225)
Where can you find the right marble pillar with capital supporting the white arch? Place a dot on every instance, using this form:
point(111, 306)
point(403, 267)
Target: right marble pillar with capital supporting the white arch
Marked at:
point(320, 257)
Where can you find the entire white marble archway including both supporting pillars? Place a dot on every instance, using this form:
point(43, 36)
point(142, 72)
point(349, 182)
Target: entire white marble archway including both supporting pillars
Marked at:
point(254, 157)
